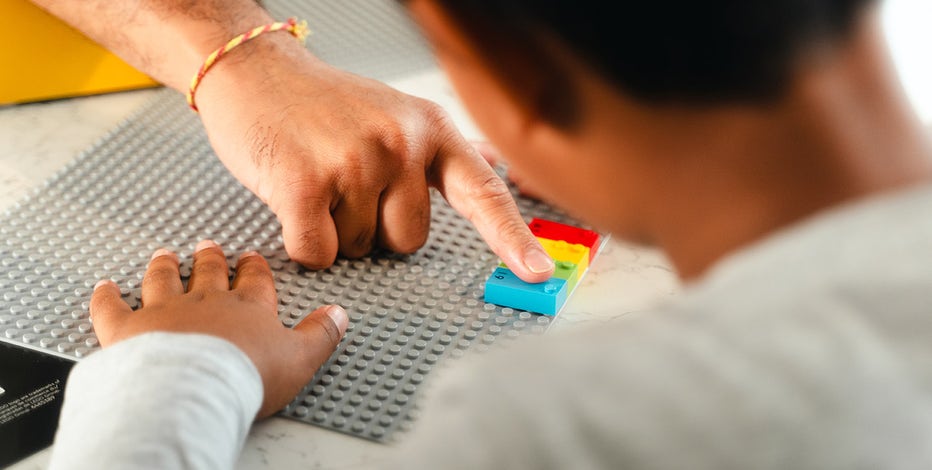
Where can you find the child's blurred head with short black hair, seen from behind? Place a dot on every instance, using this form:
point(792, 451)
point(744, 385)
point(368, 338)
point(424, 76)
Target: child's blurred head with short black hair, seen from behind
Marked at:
point(595, 102)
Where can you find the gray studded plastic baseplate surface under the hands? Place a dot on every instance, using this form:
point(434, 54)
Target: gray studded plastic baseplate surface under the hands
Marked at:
point(154, 181)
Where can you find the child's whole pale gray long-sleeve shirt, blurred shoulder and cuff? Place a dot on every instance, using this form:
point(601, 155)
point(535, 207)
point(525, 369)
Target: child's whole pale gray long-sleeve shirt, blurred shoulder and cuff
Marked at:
point(811, 348)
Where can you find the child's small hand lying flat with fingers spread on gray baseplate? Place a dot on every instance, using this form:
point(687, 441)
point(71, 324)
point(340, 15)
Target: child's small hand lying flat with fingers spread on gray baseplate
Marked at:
point(244, 315)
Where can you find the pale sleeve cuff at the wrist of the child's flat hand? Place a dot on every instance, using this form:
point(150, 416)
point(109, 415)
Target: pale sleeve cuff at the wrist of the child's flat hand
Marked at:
point(159, 400)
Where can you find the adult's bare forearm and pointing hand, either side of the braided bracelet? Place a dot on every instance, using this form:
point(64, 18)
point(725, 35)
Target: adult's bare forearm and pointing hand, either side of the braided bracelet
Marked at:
point(344, 162)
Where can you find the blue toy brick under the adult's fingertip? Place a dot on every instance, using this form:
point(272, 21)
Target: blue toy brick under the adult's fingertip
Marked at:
point(505, 289)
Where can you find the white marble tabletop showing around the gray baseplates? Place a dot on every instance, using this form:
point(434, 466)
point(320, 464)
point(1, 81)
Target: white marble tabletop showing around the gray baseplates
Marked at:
point(36, 140)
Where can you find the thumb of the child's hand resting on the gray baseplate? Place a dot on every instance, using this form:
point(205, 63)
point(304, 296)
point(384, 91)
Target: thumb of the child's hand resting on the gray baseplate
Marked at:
point(322, 331)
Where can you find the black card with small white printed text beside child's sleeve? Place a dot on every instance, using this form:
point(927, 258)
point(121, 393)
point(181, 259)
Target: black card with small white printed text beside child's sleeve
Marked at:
point(33, 386)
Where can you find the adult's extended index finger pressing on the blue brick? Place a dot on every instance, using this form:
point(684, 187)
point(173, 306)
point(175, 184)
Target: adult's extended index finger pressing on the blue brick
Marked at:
point(473, 188)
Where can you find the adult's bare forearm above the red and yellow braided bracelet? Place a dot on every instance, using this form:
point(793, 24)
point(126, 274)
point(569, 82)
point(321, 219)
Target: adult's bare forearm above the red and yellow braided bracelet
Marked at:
point(166, 39)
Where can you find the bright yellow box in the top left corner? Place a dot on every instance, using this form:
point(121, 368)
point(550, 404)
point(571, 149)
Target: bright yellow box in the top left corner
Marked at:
point(43, 58)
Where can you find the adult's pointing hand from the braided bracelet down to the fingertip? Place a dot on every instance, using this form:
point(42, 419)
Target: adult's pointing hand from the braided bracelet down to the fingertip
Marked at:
point(345, 162)
